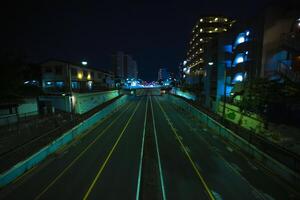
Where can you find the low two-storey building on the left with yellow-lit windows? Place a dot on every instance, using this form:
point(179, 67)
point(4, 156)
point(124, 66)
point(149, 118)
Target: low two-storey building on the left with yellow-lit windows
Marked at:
point(60, 76)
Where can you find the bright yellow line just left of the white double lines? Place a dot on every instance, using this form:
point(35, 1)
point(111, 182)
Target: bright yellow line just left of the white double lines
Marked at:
point(110, 153)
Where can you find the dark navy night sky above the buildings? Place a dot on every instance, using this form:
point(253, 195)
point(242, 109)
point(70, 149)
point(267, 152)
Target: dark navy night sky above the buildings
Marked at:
point(155, 34)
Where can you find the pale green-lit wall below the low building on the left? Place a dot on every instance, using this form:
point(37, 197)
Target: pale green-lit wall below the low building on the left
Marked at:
point(87, 101)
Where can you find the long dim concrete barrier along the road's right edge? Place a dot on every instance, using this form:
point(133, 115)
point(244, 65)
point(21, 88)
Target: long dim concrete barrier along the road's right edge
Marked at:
point(267, 161)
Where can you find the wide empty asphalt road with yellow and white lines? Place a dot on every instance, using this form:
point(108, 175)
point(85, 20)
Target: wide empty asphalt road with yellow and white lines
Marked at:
point(148, 149)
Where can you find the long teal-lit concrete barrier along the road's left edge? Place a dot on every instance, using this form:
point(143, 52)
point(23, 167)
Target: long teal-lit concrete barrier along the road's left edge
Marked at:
point(17, 170)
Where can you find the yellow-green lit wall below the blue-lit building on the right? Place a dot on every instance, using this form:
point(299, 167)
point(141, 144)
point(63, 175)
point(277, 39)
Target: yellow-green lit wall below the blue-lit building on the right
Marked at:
point(251, 122)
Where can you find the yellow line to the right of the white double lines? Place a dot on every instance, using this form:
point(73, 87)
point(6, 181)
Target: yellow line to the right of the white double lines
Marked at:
point(187, 154)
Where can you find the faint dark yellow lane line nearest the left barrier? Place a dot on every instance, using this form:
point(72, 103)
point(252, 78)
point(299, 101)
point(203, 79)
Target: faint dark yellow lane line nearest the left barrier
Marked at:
point(79, 156)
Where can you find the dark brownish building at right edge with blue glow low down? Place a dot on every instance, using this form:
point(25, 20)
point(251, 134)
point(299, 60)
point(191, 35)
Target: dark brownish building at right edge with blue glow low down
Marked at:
point(281, 42)
